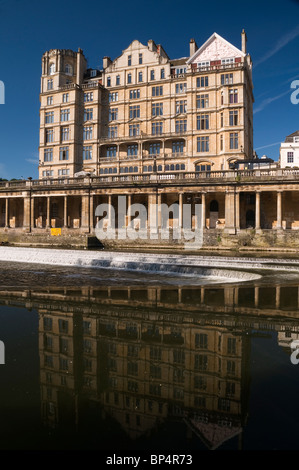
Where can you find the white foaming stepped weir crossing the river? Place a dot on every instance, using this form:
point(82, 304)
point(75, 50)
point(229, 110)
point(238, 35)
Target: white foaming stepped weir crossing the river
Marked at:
point(223, 269)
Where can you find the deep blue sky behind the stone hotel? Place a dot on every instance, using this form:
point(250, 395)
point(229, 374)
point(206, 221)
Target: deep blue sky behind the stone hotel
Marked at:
point(30, 27)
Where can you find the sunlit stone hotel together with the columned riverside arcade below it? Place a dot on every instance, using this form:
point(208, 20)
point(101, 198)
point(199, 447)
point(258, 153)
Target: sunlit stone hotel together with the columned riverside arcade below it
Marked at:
point(158, 131)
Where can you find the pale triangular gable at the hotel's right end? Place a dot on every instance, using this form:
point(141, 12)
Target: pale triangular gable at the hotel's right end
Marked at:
point(215, 48)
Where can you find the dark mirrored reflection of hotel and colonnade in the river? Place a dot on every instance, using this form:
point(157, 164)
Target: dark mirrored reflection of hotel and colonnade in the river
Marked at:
point(144, 356)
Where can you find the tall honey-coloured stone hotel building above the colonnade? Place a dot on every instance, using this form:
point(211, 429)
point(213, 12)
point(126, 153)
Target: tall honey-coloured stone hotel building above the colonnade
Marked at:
point(144, 113)
